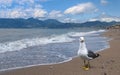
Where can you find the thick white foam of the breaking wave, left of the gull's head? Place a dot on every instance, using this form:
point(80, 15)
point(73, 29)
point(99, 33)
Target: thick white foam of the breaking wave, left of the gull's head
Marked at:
point(25, 43)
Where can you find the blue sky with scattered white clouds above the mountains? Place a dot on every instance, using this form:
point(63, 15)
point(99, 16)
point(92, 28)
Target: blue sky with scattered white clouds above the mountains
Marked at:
point(63, 10)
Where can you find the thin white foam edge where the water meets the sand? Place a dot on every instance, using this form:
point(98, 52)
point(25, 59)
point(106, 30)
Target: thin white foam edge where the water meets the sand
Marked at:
point(101, 31)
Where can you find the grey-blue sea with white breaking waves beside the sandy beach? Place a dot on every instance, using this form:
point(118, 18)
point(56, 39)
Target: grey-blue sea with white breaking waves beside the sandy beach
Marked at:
point(21, 48)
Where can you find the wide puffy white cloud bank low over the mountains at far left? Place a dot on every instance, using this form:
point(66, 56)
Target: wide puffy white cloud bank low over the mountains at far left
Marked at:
point(23, 13)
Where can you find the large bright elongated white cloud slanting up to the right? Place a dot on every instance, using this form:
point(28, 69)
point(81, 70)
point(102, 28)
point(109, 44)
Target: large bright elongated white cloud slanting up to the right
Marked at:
point(81, 8)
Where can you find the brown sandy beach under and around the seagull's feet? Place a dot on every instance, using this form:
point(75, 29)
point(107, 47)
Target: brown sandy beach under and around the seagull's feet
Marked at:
point(107, 64)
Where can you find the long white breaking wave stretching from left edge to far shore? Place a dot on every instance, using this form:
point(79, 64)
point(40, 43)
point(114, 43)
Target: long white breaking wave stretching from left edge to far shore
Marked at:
point(25, 43)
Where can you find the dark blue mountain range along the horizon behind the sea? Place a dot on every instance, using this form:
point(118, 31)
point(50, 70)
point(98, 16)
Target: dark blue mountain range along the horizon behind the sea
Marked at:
point(49, 23)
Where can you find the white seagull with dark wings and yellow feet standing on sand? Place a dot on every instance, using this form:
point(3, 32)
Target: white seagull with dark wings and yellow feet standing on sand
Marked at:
point(86, 54)
